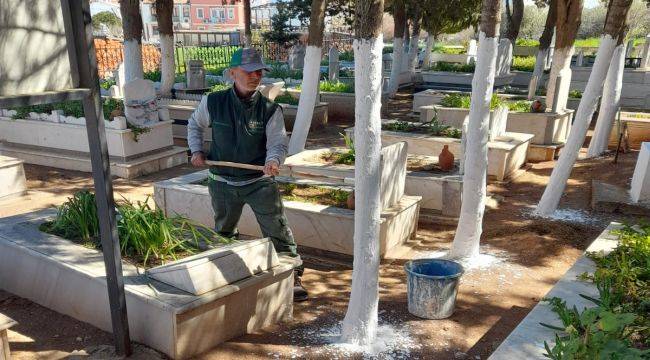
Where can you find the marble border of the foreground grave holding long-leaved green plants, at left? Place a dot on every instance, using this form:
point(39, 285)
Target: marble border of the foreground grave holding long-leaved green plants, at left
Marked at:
point(71, 279)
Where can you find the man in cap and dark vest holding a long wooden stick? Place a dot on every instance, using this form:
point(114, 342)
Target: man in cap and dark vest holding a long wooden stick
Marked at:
point(246, 128)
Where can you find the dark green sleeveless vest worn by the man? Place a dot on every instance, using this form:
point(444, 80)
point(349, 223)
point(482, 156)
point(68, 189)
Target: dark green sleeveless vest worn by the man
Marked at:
point(238, 132)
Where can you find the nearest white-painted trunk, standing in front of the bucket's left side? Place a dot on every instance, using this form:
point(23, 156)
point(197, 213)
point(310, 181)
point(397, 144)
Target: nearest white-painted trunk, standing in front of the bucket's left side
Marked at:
point(360, 323)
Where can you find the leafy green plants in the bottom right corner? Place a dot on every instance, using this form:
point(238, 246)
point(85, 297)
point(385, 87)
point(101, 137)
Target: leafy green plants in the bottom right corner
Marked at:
point(619, 326)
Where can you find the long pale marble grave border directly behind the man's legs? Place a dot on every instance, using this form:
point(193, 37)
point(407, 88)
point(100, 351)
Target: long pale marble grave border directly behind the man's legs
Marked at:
point(313, 225)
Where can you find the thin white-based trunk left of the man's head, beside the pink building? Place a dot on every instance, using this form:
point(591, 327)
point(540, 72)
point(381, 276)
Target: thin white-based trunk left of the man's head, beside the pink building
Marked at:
point(164, 11)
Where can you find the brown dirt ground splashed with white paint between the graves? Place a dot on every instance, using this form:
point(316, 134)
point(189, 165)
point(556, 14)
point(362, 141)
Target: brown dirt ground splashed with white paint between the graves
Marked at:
point(522, 259)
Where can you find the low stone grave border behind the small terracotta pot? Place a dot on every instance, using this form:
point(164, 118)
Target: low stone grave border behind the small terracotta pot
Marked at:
point(506, 154)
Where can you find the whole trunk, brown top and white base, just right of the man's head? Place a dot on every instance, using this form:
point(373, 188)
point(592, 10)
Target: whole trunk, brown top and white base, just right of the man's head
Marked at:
point(310, 78)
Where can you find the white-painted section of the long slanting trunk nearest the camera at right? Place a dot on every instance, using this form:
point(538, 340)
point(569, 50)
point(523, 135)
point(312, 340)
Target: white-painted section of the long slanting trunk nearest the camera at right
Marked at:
point(562, 170)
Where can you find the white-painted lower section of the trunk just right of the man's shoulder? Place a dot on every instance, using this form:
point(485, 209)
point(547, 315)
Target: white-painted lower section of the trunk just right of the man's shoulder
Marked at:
point(308, 95)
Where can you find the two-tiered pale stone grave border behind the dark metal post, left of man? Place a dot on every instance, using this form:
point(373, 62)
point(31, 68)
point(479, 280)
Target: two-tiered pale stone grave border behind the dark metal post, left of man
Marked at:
point(64, 145)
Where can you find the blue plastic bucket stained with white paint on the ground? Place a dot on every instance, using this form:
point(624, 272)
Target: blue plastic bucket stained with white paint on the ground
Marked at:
point(432, 287)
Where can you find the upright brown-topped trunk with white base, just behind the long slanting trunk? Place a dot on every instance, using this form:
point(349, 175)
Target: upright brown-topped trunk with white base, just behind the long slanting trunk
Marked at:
point(568, 14)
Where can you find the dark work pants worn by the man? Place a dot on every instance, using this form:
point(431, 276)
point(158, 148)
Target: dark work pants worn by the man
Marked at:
point(263, 196)
